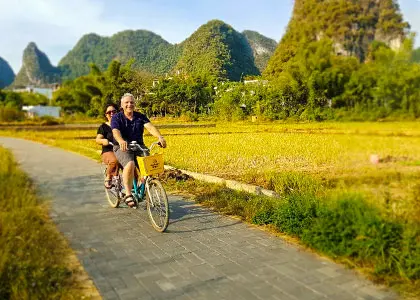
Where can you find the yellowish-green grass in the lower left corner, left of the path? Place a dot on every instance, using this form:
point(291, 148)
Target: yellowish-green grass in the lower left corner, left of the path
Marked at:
point(35, 261)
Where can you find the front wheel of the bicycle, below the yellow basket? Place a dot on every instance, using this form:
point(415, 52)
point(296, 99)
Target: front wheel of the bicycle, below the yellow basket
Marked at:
point(157, 205)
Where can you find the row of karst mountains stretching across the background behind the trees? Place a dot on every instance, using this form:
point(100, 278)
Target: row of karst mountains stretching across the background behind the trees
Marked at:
point(217, 49)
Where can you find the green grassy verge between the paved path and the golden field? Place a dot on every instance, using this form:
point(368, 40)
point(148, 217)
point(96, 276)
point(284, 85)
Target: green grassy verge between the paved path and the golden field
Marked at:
point(343, 226)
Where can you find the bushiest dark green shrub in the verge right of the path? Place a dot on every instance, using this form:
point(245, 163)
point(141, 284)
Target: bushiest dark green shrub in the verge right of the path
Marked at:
point(351, 227)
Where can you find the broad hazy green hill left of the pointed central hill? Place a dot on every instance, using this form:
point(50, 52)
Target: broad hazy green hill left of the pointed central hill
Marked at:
point(150, 52)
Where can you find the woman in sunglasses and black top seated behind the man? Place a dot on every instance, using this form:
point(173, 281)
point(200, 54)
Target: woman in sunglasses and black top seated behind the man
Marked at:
point(104, 137)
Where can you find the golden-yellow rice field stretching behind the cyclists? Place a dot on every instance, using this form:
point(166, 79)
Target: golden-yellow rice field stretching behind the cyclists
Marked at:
point(336, 154)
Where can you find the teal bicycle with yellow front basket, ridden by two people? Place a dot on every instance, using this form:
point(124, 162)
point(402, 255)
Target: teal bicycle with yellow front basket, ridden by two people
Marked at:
point(148, 188)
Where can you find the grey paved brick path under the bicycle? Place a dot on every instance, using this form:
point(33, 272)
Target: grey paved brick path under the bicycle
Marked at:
point(203, 255)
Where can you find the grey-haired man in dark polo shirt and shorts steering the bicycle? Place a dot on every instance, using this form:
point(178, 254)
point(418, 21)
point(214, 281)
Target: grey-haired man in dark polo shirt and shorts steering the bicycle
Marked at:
point(128, 126)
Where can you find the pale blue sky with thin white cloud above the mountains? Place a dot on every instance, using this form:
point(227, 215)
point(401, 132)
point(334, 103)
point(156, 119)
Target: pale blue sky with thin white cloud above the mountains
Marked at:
point(56, 25)
